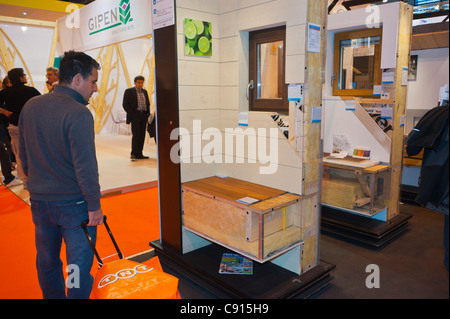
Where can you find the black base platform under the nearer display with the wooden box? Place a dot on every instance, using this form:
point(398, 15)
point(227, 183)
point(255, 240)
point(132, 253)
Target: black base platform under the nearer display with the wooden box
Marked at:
point(268, 281)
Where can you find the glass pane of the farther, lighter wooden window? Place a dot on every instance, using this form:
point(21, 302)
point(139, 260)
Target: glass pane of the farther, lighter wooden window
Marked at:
point(356, 65)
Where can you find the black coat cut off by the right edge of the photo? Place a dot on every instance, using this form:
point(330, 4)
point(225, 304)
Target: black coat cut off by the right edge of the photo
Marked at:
point(432, 135)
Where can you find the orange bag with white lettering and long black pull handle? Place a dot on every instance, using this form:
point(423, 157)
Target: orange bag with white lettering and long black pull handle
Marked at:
point(126, 279)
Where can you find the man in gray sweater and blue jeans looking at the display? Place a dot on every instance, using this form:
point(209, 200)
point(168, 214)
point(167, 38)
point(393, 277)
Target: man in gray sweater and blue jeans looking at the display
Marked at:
point(58, 155)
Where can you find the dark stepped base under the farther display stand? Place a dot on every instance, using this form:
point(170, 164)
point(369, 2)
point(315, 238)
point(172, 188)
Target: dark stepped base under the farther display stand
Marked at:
point(362, 229)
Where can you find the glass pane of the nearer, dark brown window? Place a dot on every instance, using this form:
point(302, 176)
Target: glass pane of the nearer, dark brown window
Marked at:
point(269, 61)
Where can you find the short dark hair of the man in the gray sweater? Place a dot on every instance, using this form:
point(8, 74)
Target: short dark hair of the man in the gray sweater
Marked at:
point(74, 62)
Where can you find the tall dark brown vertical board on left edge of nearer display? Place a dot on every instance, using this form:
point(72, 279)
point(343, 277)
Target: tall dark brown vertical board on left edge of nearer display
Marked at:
point(167, 119)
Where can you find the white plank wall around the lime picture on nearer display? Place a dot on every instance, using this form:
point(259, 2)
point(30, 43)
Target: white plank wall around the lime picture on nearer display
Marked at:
point(212, 89)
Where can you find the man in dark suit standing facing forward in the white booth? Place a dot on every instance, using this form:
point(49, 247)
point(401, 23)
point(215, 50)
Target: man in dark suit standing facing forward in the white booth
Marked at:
point(137, 105)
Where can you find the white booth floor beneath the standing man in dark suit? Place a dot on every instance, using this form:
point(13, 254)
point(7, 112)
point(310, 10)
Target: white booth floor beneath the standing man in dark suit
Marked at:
point(118, 174)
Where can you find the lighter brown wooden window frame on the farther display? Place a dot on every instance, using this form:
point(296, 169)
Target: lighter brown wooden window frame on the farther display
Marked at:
point(338, 37)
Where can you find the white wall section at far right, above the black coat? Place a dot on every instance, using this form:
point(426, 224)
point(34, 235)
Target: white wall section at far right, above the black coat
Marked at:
point(432, 73)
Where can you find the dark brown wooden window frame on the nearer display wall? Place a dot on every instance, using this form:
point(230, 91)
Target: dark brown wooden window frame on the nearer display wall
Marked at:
point(280, 105)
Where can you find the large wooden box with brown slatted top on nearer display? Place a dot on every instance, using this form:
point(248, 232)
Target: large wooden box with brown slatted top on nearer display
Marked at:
point(261, 230)
